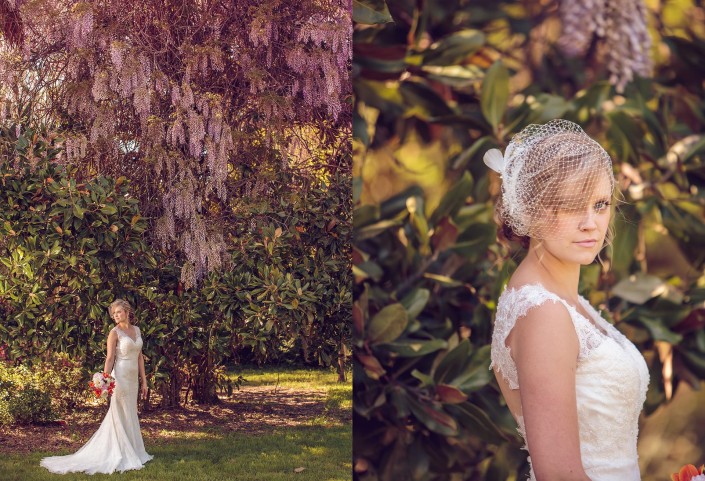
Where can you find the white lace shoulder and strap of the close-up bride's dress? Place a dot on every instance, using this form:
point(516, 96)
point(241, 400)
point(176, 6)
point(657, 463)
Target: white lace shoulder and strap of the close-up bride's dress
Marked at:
point(514, 304)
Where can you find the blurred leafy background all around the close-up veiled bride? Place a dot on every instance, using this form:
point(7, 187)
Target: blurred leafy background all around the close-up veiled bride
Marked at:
point(436, 85)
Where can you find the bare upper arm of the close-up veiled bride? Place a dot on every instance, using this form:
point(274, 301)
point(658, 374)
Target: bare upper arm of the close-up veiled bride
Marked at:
point(545, 348)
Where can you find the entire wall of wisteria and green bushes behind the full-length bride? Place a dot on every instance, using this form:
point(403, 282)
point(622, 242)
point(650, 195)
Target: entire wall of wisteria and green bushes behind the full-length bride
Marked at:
point(192, 158)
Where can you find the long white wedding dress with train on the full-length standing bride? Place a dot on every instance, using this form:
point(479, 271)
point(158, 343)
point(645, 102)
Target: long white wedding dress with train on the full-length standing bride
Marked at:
point(117, 445)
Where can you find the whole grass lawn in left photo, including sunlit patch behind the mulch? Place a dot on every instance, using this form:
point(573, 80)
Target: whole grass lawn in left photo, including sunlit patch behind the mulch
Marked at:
point(322, 445)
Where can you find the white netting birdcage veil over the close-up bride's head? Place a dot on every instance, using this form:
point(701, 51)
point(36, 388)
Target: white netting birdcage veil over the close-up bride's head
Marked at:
point(554, 179)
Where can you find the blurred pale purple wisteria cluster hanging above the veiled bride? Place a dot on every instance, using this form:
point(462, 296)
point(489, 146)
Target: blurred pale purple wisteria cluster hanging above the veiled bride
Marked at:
point(619, 26)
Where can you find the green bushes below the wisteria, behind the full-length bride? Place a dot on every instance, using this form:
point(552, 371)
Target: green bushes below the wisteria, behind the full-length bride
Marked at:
point(67, 250)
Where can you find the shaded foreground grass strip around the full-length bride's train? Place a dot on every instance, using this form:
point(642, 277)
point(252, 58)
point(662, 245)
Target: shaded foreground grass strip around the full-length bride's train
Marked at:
point(323, 452)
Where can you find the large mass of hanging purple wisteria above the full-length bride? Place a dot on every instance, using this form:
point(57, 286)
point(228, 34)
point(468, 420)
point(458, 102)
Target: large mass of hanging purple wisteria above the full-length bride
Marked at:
point(174, 94)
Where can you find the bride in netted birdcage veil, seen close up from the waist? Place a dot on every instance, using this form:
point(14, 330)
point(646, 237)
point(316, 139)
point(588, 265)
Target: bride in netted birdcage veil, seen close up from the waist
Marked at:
point(574, 383)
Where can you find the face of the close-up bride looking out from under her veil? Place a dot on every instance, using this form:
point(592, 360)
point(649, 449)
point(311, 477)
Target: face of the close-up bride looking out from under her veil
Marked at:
point(579, 227)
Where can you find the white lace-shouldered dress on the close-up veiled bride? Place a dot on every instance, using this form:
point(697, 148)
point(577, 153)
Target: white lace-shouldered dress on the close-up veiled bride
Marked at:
point(610, 383)
